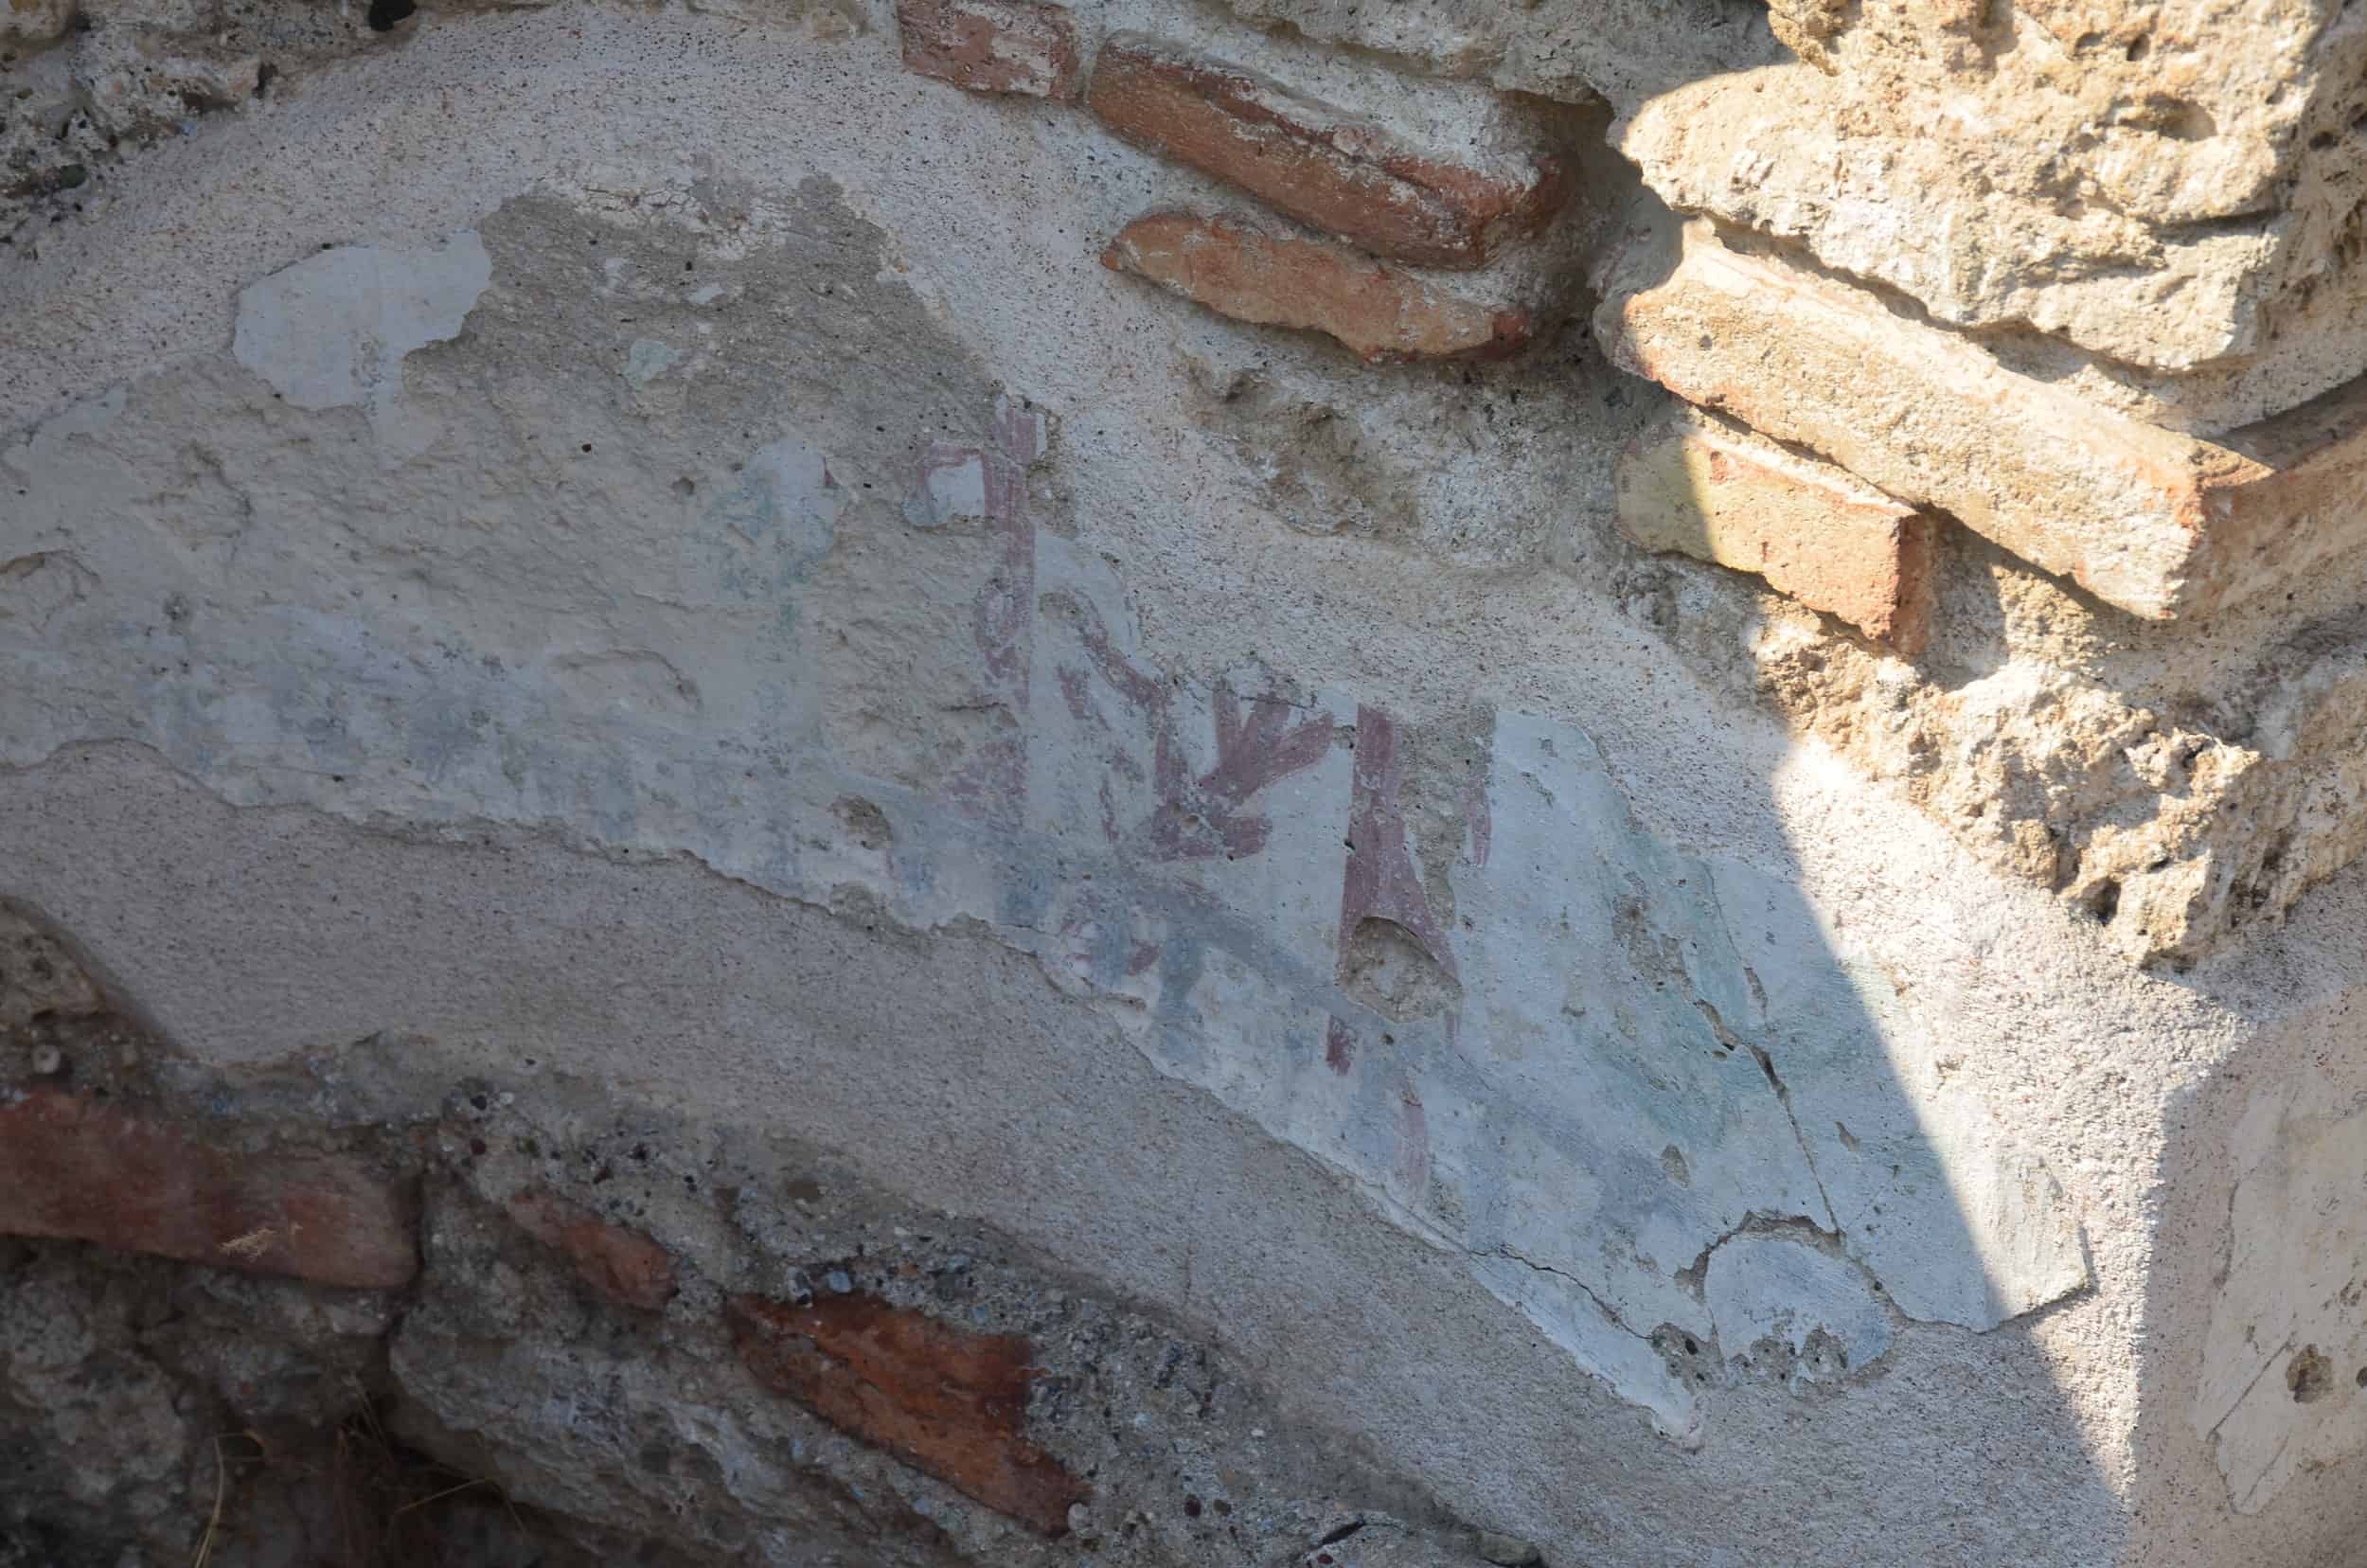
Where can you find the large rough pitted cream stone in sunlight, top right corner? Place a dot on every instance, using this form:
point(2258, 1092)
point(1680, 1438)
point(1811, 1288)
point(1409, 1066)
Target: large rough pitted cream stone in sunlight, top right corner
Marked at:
point(1935, 146)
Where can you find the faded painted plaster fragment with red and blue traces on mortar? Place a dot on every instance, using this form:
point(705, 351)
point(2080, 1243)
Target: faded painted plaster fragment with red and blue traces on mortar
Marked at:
point(1623, 1055)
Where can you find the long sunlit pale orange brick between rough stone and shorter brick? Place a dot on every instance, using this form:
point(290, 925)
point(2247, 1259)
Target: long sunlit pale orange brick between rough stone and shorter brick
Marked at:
point(2158, 522)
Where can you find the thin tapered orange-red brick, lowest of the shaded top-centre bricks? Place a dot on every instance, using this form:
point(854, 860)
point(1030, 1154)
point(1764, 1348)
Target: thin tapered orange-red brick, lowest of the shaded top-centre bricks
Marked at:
point(1313, 285)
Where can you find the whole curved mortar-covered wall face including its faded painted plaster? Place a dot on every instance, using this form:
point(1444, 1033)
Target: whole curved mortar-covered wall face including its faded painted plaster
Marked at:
point(581, 555)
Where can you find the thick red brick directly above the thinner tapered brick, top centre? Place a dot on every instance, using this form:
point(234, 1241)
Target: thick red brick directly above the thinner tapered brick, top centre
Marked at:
point(1324, 167)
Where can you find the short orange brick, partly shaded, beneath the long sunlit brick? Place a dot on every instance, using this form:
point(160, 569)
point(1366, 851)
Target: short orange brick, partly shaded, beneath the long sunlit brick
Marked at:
point(1713, 491)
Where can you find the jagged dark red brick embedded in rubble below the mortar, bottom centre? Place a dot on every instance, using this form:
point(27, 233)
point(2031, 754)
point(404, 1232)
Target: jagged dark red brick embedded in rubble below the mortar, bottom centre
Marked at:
point(941, 1399)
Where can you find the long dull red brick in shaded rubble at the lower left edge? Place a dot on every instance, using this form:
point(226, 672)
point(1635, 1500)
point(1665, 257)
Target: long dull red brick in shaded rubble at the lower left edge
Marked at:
point(82, 1171)
